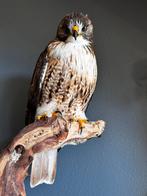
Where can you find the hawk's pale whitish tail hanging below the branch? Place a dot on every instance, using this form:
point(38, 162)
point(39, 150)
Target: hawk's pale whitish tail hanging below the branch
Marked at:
point(44, 168)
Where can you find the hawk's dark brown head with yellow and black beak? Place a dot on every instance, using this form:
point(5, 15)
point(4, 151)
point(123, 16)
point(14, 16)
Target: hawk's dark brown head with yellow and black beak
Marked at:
point(75, 25)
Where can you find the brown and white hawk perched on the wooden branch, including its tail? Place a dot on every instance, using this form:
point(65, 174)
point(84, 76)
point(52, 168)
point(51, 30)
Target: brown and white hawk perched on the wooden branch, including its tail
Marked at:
point(64, 80)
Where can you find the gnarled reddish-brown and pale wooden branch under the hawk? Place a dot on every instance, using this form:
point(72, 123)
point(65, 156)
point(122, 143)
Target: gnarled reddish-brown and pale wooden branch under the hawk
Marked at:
point(44, 134)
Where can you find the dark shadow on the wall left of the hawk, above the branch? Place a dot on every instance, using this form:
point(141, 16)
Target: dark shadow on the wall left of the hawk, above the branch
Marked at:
point(13, 100)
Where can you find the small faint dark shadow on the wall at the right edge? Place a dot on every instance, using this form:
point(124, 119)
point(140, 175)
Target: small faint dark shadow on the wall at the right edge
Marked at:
point(140, 78)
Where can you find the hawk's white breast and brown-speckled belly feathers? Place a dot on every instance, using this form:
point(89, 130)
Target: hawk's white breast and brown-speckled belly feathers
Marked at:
point(69, 79)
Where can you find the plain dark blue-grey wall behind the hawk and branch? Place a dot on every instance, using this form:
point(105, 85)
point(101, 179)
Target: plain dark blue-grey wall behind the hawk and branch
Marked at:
point(115, 164)
